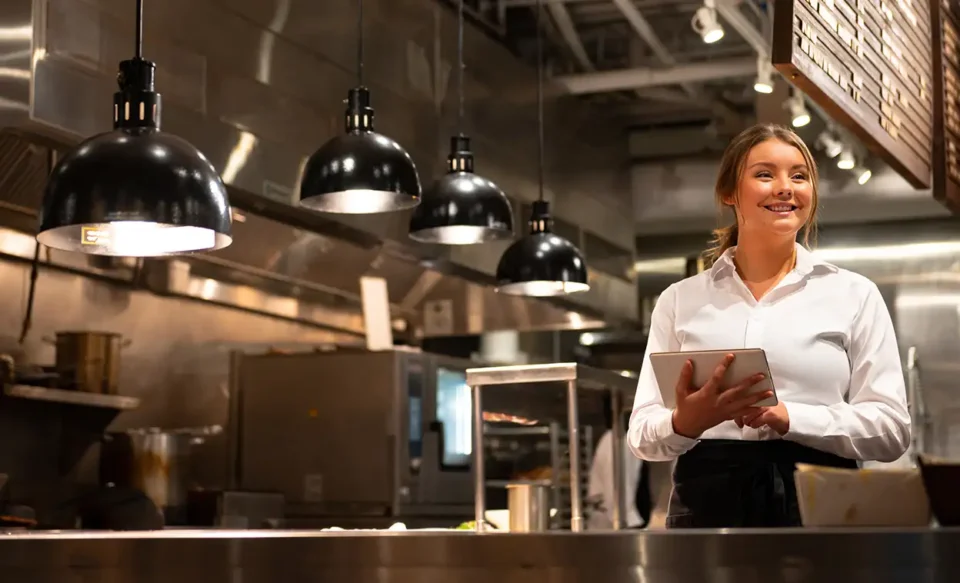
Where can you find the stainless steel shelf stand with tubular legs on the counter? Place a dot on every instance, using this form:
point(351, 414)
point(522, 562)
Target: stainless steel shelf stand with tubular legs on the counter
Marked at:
point(576, 376)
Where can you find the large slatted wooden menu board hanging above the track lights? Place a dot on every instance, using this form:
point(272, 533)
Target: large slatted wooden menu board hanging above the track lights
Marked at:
point(868, 65)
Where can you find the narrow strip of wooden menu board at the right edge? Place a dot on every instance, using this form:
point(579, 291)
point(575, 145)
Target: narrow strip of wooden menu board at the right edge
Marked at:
point(945, 23)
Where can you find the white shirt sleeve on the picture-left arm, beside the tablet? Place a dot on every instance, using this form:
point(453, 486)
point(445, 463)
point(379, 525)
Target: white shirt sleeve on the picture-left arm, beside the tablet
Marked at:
point(650, 435)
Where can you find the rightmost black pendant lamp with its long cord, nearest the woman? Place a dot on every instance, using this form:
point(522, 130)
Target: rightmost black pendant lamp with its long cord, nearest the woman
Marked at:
point(541, 263)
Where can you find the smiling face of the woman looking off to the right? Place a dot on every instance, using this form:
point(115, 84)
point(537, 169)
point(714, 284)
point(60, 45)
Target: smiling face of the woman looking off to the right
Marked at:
point(775, 195)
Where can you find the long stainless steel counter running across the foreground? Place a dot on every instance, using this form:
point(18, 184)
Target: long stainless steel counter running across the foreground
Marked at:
point(794, 556)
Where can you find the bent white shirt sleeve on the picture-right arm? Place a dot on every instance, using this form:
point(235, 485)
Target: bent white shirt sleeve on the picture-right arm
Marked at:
point(874, 423)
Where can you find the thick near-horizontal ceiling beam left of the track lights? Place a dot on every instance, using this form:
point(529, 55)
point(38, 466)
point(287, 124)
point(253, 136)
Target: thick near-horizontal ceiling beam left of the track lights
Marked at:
point(625, 79)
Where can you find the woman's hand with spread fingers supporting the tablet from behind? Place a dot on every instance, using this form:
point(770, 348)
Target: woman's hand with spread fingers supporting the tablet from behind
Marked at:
point(700, 409)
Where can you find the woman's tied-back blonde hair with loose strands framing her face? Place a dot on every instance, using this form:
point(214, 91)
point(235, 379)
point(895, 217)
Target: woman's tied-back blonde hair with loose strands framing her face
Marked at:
point(731, 171)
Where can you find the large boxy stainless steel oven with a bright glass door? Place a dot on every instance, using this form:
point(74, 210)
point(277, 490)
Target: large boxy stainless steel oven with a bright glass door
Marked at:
point(354, 437)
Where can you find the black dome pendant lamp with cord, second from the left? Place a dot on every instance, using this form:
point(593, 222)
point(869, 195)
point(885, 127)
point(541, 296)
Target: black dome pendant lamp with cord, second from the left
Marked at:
point(361, 171)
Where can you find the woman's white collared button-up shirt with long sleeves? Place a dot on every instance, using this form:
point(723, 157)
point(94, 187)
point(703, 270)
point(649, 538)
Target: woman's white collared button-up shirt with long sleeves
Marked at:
point(831, 348)
